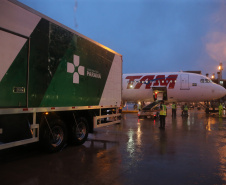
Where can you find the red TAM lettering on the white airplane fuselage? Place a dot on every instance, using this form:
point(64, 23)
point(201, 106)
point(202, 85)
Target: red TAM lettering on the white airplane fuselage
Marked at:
point(151, 81)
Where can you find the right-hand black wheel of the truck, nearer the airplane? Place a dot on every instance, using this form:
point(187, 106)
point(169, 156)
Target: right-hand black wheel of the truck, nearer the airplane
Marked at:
point(79, 131)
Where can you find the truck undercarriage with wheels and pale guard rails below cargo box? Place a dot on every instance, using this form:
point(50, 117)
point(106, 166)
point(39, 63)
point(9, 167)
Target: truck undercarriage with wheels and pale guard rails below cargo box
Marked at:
point(43, 117)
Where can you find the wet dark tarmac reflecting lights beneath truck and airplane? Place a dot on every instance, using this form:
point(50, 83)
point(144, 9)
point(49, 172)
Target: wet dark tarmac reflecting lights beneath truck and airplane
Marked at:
point(136, 152)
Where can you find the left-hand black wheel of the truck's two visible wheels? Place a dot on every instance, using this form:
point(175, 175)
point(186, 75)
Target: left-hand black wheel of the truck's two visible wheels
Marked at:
point(55, 139)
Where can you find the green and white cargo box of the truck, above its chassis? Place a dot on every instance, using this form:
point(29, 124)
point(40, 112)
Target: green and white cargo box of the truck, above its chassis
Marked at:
point(65, 69)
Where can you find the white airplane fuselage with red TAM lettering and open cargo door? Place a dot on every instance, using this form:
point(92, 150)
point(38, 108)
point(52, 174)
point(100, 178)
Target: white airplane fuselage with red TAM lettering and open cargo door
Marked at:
point(170, 86)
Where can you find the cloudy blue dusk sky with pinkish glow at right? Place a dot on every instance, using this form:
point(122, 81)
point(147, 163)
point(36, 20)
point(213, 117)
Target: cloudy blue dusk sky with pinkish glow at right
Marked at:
point(152, 35)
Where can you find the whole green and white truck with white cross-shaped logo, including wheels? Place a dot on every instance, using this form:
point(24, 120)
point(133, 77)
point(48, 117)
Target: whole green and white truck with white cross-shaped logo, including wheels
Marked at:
point(56, 85)
